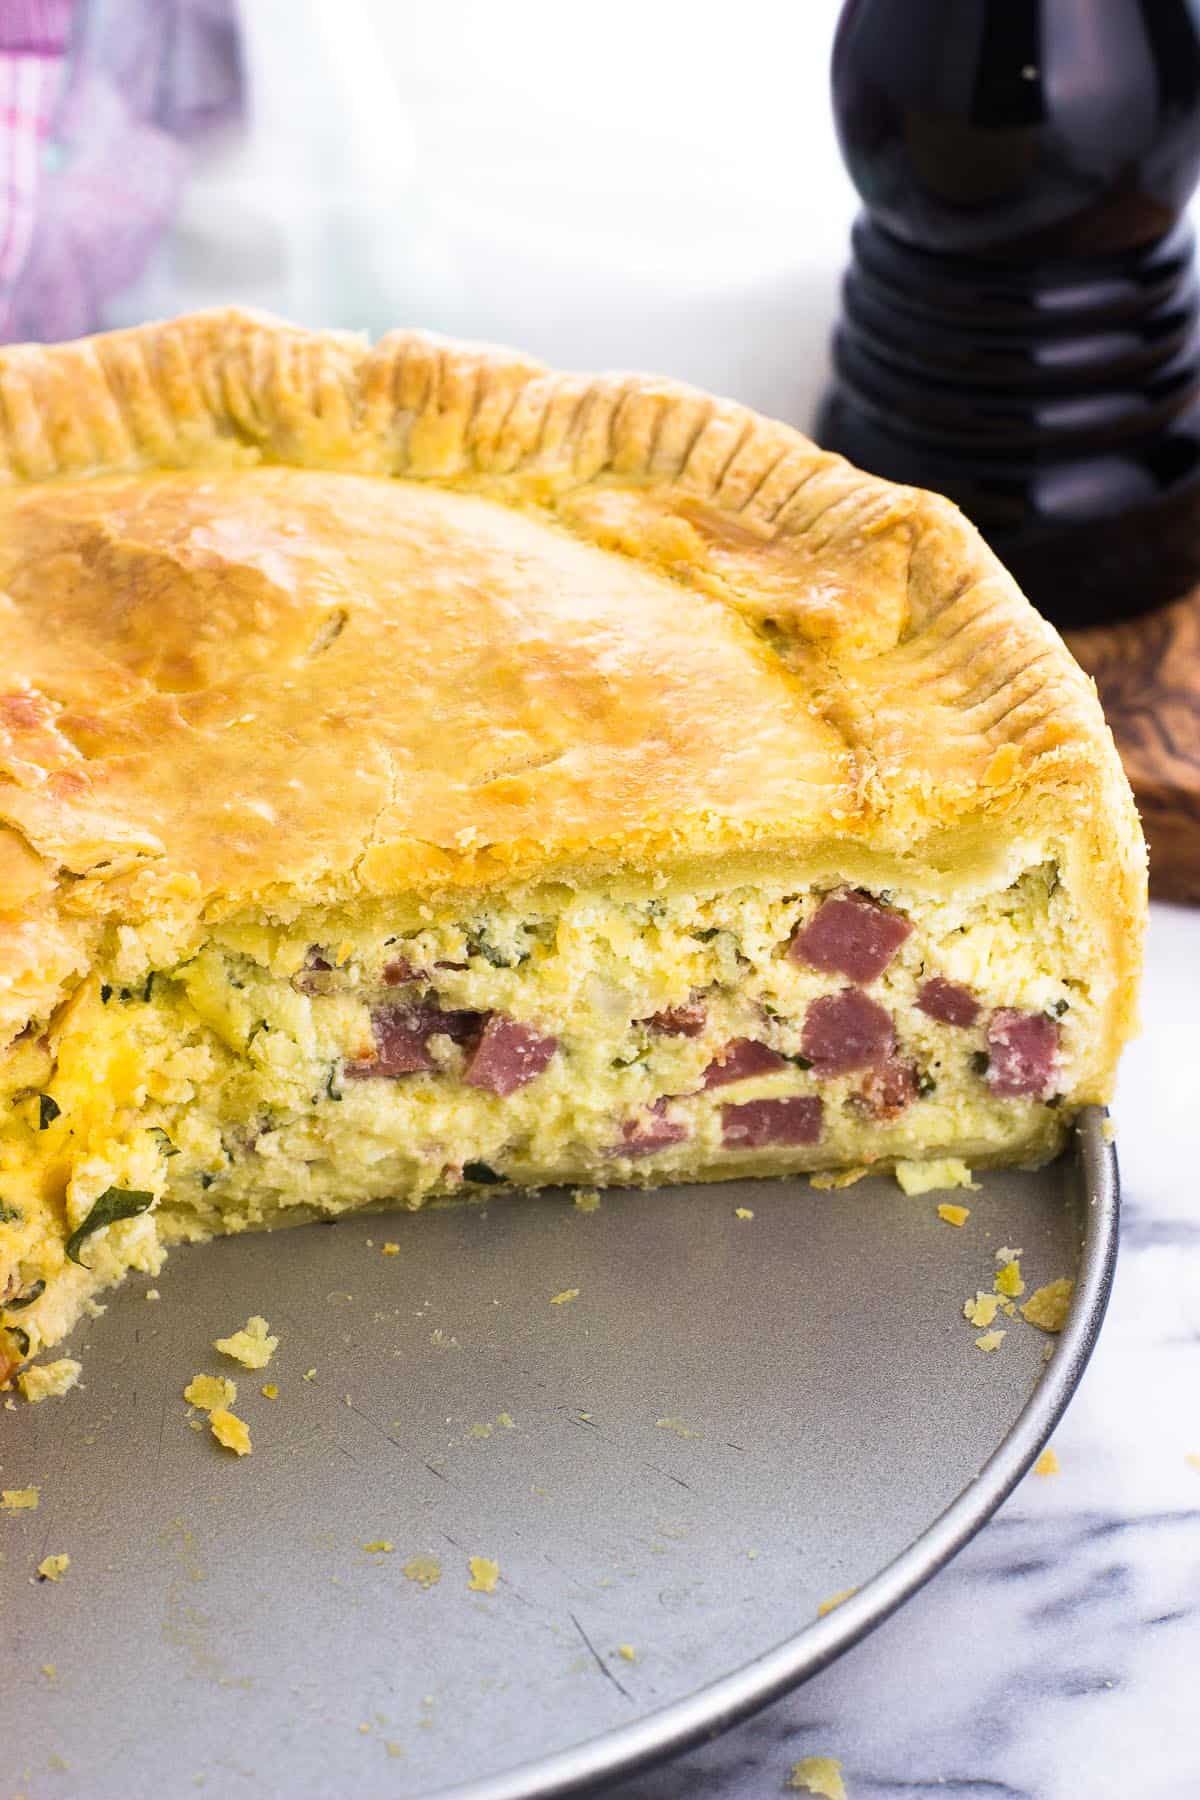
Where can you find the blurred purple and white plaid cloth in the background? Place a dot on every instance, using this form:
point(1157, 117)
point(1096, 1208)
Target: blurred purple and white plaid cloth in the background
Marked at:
point(102, 105)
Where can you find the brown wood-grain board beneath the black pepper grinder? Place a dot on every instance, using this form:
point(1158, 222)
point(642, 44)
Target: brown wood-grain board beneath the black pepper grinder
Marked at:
point(1149, 678)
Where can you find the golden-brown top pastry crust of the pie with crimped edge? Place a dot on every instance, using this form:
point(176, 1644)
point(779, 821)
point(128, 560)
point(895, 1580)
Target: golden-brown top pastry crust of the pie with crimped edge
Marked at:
point(289, 620)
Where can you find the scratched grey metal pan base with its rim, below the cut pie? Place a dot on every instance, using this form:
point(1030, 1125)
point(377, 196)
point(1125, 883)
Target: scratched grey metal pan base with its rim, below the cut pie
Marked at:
point(731, 1421)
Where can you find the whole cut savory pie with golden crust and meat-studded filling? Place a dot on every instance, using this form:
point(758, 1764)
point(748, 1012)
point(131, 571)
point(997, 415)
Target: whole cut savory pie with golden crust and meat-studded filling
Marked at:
point(422, 771)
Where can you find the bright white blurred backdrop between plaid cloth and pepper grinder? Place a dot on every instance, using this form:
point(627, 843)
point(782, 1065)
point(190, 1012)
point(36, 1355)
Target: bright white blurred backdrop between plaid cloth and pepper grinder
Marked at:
point(643, 184)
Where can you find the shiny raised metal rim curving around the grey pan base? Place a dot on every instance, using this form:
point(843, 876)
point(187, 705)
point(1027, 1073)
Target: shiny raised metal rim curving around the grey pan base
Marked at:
point(713, 1709)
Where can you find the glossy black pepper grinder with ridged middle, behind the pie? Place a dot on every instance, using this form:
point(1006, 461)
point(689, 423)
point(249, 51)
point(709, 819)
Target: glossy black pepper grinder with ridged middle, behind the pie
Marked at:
point(1021, 316)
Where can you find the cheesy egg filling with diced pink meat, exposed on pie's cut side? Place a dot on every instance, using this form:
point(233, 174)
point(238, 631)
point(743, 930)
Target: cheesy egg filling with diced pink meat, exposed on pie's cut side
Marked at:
point(550, 1039)
